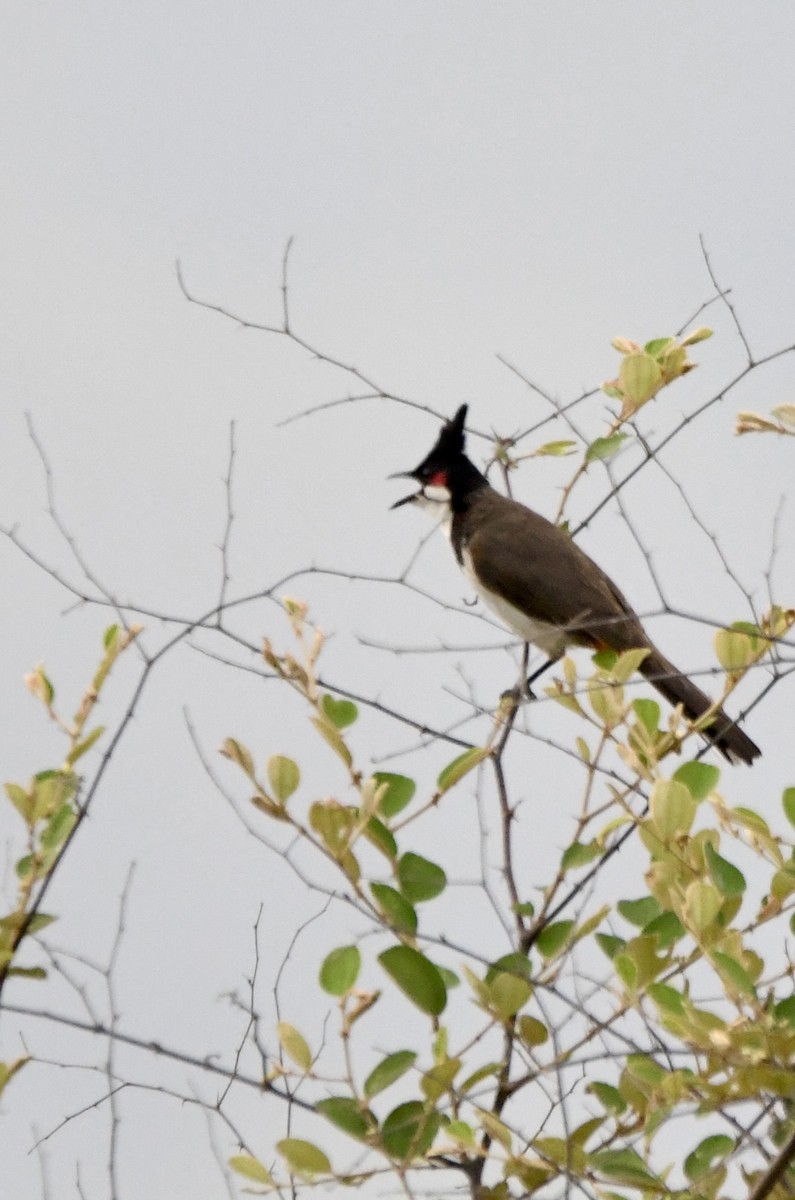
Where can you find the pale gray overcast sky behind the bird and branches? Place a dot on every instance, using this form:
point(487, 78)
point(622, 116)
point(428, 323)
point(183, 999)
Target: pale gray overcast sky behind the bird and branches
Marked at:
point(463, 181)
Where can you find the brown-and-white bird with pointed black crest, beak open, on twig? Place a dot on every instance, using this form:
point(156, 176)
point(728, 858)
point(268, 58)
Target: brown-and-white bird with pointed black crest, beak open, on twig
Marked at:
point(541, 584)
